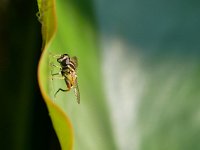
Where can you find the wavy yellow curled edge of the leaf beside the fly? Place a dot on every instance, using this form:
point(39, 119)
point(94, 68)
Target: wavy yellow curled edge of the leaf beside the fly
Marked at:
point(60, 120)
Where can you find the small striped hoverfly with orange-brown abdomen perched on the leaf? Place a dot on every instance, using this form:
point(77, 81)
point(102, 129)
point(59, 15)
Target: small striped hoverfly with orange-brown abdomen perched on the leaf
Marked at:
point(68, 67)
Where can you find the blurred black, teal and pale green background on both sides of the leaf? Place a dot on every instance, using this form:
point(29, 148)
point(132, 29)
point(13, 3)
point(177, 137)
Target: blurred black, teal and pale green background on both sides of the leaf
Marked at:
point(150, 71)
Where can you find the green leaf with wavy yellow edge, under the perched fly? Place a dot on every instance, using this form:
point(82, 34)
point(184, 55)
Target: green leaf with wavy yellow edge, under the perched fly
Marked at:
point(75, 36)
